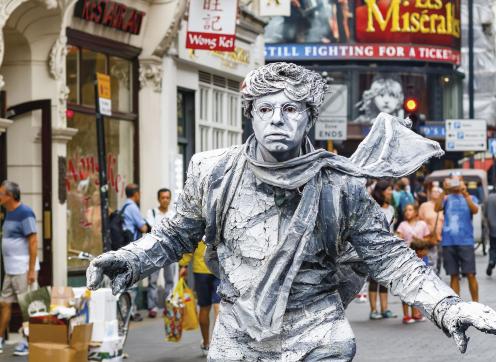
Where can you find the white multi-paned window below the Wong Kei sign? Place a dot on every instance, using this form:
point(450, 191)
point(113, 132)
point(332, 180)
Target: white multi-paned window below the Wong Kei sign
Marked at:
point(219, 125)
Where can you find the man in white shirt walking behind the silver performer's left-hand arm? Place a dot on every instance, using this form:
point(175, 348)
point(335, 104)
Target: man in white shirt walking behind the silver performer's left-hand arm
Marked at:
point(170, 272)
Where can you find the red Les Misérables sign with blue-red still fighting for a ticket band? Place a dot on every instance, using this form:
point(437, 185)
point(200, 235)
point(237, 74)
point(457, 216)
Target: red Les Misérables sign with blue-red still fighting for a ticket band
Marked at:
point(421, 30)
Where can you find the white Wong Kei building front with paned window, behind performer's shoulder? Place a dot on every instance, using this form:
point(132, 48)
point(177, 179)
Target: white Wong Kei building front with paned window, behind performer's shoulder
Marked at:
point(203, 89)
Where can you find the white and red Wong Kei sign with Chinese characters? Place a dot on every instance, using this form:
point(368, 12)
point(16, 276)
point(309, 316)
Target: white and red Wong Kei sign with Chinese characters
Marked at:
point(212, 25)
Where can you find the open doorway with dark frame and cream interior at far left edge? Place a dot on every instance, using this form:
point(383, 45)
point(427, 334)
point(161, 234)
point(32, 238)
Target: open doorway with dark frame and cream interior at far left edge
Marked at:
point(26, 149)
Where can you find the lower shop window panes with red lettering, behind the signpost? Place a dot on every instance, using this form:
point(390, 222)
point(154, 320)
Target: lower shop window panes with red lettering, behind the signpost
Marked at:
point(83, 197)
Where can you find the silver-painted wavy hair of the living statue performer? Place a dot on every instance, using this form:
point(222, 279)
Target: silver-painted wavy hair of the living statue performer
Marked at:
point(298, 84)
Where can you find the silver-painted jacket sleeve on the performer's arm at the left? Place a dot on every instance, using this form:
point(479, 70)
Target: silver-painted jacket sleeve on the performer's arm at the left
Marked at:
point(171, 238)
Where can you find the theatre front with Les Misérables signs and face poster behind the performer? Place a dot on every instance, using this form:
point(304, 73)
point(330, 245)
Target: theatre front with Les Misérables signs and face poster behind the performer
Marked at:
point(376, 55)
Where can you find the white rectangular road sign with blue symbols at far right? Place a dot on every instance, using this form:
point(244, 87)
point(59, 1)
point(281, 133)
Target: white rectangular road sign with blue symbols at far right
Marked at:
point(466, 135)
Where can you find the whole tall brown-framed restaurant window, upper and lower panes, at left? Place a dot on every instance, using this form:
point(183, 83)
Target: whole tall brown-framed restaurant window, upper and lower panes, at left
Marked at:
point(82, 179)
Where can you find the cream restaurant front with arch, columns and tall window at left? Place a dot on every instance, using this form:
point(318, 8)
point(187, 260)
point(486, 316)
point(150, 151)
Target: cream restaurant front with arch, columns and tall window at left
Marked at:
point(47, 127)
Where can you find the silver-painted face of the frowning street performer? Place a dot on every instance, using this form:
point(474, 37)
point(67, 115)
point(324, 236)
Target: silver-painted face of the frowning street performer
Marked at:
point(279, 136)
